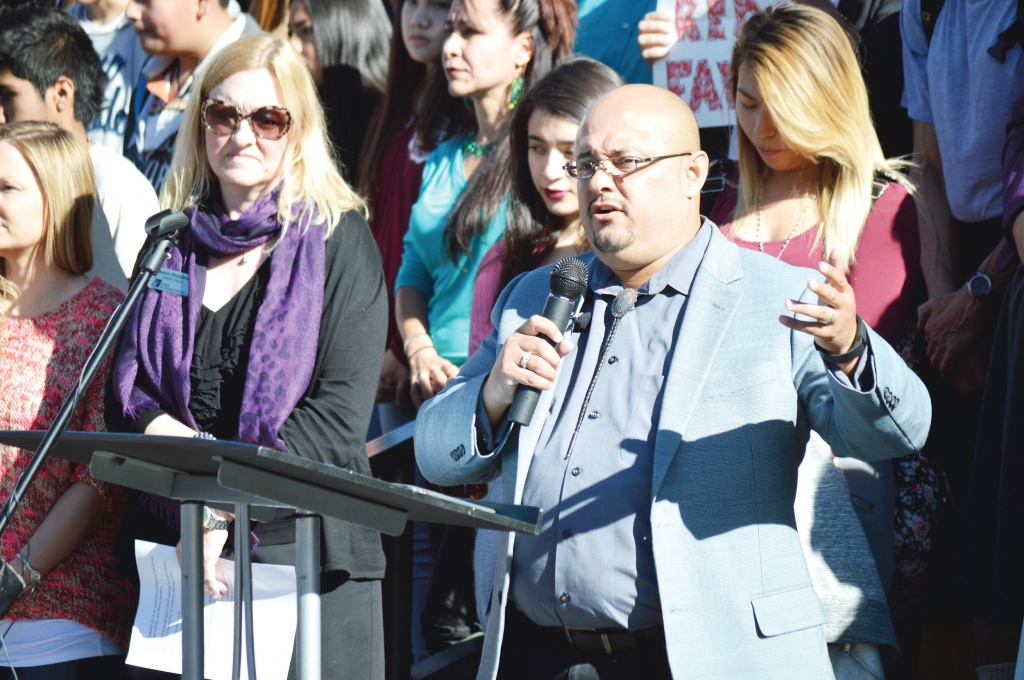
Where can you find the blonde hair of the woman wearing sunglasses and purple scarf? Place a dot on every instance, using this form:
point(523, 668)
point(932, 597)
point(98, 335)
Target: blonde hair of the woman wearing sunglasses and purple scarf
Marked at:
point(312, 180)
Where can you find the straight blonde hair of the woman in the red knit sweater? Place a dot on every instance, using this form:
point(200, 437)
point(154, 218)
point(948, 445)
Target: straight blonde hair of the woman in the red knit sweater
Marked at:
point(64, 171)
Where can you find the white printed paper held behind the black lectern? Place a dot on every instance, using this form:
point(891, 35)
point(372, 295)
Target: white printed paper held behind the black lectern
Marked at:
point(156, 637)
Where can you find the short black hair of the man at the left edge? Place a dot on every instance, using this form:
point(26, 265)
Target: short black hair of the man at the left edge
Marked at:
point(40, 46)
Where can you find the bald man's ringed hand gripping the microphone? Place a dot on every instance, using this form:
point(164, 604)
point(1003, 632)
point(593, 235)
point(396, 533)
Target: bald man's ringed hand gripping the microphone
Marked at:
point(509, 372)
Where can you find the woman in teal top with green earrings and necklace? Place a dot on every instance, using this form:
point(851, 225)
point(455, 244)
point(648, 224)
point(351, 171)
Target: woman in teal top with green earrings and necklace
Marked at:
point(495, 51)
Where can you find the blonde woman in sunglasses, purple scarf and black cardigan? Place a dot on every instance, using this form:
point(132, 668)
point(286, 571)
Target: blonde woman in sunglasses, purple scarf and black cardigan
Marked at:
point(275, 337)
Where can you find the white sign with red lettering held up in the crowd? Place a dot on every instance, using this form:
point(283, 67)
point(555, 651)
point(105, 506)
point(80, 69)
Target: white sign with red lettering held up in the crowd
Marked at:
point(698, 67)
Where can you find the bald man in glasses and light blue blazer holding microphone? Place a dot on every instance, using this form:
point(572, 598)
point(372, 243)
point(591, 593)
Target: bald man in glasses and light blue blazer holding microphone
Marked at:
point(669, 547)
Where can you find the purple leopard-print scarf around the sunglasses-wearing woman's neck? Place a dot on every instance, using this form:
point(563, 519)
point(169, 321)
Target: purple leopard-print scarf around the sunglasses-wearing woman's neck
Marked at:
point(152, 370)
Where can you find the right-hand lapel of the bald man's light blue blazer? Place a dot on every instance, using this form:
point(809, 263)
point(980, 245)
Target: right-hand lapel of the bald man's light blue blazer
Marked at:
point(709, 312)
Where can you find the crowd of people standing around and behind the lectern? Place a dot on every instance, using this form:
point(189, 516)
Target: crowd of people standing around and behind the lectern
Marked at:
point(792, 451)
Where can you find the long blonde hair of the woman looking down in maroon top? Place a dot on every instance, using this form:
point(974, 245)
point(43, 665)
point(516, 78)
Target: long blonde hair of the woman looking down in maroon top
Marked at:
point(813, 89)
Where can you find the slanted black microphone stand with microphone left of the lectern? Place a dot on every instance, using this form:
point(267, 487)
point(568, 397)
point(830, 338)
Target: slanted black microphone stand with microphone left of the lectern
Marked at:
point(164, 228)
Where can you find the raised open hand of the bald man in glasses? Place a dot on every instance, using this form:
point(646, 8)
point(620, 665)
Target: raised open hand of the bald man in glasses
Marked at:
point(836, 328)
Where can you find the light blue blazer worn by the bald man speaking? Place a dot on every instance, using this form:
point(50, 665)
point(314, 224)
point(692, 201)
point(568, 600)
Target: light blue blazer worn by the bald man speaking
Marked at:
point(741, 399)
